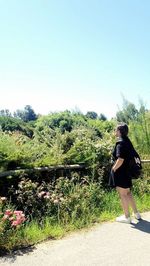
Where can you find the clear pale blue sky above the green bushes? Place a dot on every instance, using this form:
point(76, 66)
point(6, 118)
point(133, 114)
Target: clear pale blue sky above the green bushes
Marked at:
point(68, 54)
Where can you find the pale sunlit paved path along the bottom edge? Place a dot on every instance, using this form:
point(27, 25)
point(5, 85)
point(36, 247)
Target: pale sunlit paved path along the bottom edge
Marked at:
point(107, 244)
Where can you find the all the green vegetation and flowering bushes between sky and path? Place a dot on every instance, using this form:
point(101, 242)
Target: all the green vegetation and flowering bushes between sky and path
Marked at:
point(51, 204)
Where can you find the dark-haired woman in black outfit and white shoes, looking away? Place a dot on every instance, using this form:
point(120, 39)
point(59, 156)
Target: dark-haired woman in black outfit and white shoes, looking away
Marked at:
point(120, 174)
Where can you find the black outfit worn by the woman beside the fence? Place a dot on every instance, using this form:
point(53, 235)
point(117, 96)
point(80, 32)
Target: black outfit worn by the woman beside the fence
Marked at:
point(121, 178)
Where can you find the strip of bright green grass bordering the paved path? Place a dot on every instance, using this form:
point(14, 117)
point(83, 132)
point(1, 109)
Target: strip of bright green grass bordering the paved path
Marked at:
point(34, 232)
